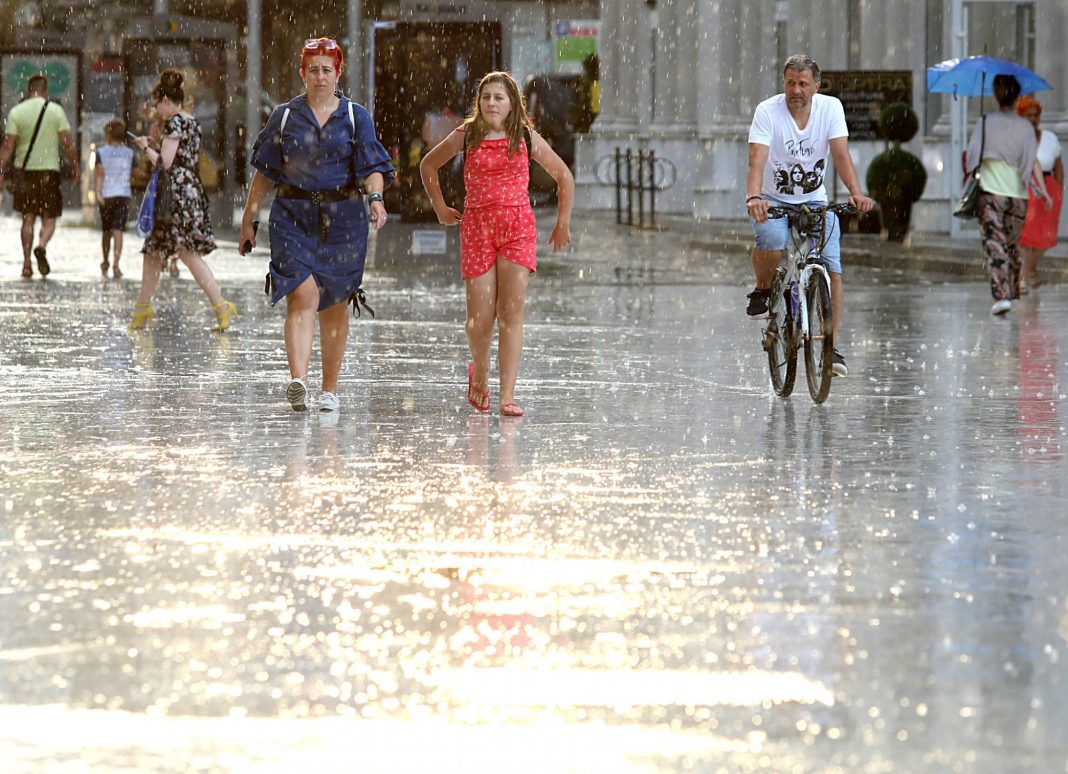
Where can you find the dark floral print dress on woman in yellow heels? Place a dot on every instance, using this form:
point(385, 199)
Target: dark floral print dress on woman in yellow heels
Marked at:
point(191, 226)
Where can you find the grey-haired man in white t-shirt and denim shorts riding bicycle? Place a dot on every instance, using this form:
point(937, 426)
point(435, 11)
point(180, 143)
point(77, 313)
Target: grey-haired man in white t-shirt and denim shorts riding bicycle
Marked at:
point(790, 140)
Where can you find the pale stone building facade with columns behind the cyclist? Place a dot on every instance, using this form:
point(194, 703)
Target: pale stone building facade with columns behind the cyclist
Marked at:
point(683, 77)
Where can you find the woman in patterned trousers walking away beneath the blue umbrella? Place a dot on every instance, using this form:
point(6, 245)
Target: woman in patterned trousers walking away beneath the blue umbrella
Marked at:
point(1003, 147)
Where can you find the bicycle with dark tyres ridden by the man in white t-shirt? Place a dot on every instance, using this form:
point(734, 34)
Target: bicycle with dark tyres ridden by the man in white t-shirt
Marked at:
point(799, 308)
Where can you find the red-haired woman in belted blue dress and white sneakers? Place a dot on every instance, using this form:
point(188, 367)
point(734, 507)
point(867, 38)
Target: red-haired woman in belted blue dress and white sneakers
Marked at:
point(320, 150)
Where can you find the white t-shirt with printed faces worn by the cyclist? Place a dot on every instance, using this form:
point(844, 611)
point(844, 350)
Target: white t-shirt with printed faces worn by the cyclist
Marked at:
point(797, 159)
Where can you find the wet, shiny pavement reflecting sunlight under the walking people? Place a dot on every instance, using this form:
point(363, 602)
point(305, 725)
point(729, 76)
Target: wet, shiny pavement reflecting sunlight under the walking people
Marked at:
point(663, 567)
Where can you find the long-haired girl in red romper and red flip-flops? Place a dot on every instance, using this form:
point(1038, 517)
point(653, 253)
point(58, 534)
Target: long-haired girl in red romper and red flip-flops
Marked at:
point(498, 234)
